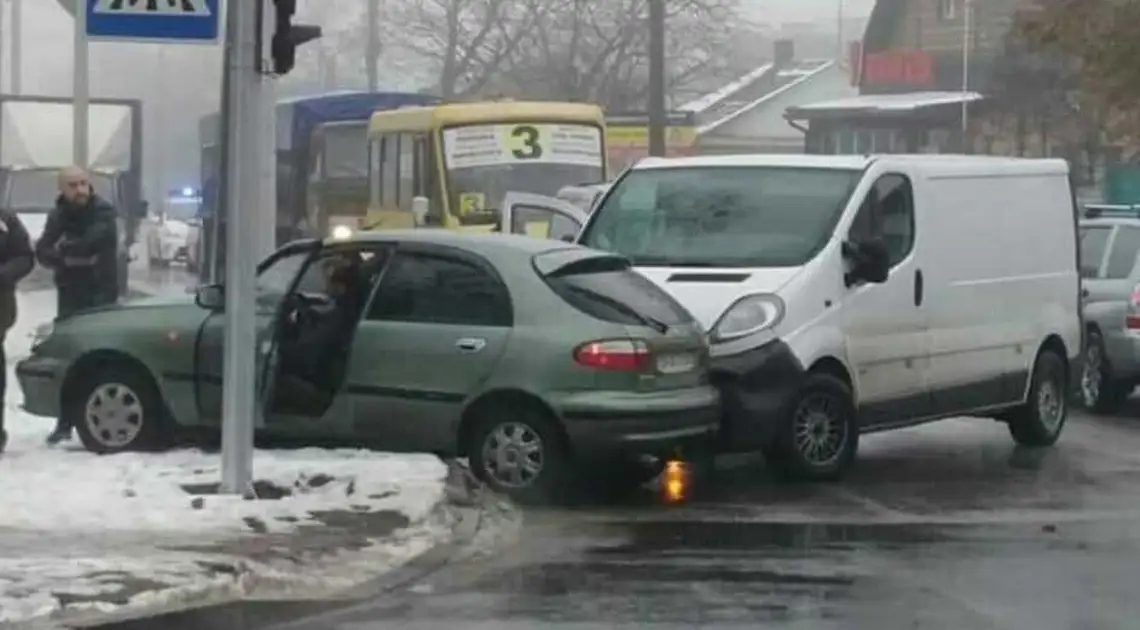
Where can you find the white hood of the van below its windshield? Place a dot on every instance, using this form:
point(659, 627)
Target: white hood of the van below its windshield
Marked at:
point(707, 293)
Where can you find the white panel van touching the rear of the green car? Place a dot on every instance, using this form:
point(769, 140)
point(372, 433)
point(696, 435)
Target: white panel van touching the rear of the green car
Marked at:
point(853, 294)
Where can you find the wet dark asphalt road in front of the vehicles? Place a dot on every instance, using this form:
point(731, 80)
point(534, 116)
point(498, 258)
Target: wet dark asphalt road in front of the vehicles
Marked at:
point(941, 527)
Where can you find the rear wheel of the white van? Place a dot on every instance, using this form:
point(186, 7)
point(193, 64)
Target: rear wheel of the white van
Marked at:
point(1040, 421)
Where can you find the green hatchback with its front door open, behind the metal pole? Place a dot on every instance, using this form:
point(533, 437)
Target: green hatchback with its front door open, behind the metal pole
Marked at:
point(531, 357)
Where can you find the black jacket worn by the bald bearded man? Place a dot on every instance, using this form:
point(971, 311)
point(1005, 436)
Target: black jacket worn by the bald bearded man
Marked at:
point(82, 246)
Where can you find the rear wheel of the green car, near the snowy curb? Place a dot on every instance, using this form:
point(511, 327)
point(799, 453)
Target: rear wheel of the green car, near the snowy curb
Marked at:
point(519, 452)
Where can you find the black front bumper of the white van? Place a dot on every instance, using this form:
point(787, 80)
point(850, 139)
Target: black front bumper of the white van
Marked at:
point(756, 389)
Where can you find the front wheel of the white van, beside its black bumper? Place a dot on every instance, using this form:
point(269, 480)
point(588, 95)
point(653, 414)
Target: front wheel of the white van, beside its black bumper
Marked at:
point(820, 433)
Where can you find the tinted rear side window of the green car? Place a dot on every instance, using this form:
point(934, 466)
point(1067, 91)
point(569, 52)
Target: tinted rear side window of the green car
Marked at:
point(438, 289)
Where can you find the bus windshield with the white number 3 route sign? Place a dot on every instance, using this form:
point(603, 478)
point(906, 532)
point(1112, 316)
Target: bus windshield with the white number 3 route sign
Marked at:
point(486, 162)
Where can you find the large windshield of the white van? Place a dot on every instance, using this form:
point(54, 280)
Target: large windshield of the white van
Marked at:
point(721, 216)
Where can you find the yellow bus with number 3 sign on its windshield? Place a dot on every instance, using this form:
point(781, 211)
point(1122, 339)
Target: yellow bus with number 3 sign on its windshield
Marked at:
point(459, 161)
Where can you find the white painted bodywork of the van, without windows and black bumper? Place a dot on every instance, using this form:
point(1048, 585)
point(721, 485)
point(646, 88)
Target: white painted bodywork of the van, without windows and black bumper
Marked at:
point(994, 261)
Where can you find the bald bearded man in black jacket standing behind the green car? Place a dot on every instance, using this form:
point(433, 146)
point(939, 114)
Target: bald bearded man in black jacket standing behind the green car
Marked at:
point(80, 244)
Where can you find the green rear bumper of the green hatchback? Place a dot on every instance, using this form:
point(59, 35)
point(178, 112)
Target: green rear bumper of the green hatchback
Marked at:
point(607, 426)
